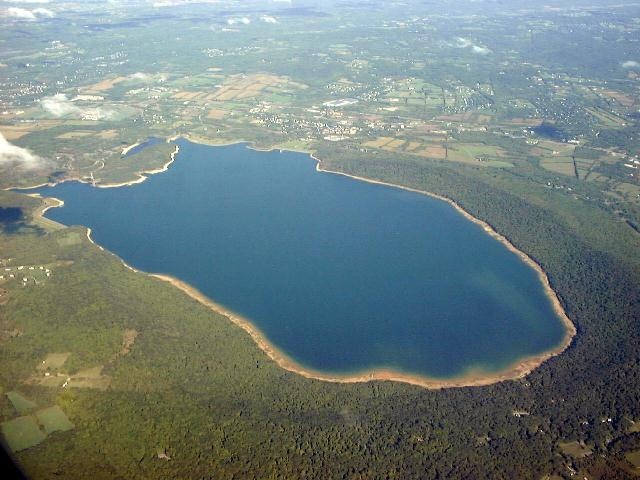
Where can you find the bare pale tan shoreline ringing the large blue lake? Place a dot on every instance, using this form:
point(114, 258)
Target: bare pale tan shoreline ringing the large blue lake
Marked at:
point(471, 378)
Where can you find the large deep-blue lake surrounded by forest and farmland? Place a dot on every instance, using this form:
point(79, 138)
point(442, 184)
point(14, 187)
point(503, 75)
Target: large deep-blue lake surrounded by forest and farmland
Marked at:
point(339, 274)
